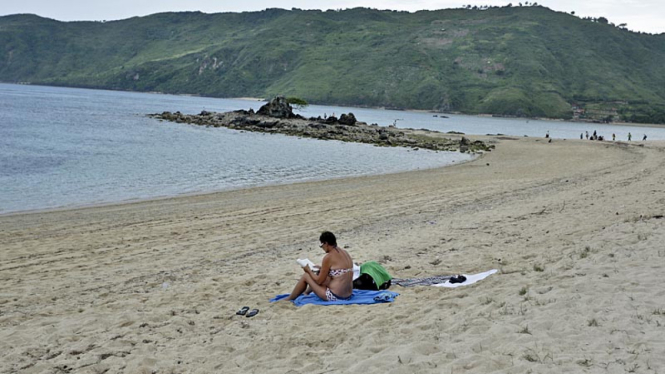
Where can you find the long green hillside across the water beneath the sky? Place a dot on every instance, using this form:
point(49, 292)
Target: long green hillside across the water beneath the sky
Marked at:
point(528, 61)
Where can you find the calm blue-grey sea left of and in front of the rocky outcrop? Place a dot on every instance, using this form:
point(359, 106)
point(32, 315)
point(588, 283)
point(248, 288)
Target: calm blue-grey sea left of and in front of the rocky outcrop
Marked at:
point(63, 147)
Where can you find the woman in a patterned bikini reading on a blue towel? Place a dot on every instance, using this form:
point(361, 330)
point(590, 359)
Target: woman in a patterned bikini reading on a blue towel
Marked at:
point(334, 280)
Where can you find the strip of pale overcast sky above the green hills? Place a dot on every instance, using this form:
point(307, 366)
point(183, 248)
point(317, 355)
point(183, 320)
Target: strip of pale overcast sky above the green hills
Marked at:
point(640, 15)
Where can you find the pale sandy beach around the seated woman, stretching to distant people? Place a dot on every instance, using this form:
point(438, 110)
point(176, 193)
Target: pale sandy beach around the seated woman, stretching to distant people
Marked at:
point(574, 227)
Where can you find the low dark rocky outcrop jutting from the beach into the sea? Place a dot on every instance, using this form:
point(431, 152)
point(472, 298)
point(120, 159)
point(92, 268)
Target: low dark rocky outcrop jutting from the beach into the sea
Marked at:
point(277, 117)
